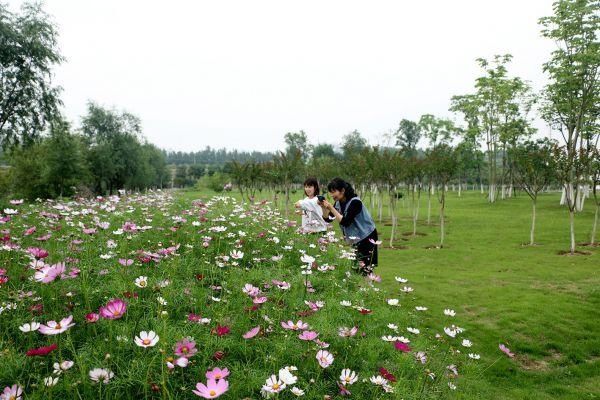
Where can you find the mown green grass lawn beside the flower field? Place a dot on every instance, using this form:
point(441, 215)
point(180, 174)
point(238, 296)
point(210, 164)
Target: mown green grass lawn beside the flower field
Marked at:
point(545, 307)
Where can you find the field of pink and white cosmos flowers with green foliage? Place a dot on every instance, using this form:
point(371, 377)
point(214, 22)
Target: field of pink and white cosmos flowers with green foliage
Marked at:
point(154, 296)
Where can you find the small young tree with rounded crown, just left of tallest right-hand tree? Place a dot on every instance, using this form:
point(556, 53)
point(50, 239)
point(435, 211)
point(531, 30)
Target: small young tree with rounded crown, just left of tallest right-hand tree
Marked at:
point(535, 169)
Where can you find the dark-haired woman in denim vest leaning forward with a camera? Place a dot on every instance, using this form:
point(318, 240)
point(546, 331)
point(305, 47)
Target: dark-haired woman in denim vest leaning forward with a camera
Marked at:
point(357, 225)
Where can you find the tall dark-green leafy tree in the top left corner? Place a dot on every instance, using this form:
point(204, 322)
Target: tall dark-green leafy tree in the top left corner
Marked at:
point(28, 51)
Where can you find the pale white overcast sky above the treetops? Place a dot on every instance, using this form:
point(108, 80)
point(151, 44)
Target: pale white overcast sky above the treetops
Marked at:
point(240, 74)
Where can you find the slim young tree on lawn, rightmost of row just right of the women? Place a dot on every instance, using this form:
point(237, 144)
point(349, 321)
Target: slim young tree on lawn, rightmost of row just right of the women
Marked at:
point(443, 165)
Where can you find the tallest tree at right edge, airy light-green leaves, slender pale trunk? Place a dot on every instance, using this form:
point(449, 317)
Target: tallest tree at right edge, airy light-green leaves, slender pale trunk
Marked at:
point(571, 99)
